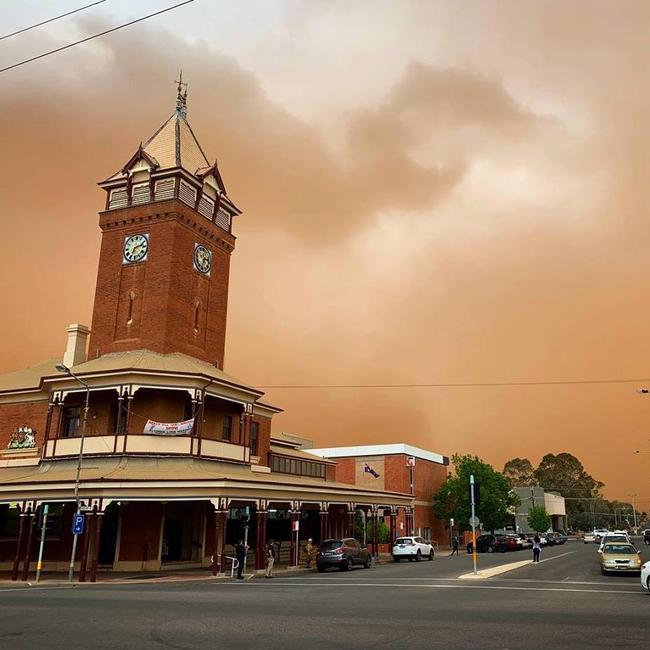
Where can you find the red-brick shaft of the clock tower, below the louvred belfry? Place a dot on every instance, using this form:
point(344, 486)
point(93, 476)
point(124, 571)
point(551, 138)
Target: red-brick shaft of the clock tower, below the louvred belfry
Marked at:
point(165, 287)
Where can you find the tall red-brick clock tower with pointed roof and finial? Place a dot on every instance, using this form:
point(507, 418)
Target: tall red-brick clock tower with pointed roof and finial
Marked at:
point(162, 282)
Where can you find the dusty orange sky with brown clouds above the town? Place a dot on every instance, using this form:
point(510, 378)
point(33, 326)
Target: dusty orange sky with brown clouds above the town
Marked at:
point(432, 193)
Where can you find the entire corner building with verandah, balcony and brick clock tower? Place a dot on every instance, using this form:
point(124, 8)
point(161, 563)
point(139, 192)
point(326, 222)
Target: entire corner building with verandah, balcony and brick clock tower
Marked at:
point(155, 353)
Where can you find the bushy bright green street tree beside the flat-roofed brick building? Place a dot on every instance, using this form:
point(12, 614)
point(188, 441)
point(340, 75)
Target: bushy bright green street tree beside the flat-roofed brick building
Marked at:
point(496, 502)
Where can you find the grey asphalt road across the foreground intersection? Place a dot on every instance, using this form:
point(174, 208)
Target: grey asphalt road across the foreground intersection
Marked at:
point(562, 602)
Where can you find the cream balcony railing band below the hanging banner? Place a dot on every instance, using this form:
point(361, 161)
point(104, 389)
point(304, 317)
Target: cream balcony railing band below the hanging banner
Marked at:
point(146, 445)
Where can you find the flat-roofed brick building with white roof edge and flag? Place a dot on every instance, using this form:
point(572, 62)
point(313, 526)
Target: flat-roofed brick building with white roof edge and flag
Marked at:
point(396, 468)
